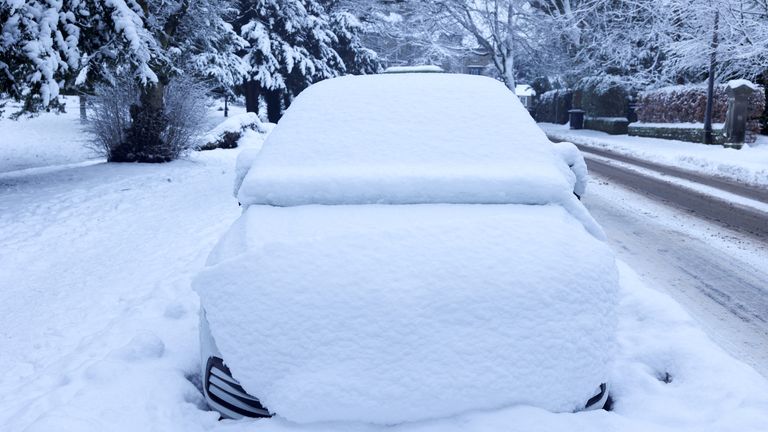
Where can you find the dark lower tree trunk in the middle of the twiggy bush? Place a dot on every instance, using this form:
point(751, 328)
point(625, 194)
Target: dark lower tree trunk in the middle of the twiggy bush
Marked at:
point(144, 140)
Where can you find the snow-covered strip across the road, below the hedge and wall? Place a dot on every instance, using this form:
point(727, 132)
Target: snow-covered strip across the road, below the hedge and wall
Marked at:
point(747, 165)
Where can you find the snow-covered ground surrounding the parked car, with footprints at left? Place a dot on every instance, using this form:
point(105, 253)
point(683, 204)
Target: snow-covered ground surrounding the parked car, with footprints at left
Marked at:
point(98, 323)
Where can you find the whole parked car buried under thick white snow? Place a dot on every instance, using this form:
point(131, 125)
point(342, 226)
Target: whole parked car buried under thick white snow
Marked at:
point(410, 248)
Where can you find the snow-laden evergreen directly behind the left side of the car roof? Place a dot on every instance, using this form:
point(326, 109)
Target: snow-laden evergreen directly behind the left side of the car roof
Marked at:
point(294, 43)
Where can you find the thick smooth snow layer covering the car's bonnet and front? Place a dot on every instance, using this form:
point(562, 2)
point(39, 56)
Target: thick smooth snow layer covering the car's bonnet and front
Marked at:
point(388, 314)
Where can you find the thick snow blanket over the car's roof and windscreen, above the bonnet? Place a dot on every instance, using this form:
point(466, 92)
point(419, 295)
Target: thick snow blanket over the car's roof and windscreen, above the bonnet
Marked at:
point(406, 138)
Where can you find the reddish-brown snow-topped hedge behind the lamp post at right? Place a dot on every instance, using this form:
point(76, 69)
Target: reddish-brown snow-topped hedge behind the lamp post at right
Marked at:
point(687, 104)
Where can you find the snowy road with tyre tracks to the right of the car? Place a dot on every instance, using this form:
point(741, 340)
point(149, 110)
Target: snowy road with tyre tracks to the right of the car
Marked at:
point(717, 274)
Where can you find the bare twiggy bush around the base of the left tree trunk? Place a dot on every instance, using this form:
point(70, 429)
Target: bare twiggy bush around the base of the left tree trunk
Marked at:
point(161, 137)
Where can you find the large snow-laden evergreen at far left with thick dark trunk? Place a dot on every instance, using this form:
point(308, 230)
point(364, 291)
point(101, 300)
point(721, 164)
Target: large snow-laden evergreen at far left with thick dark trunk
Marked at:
point(47, 45)
